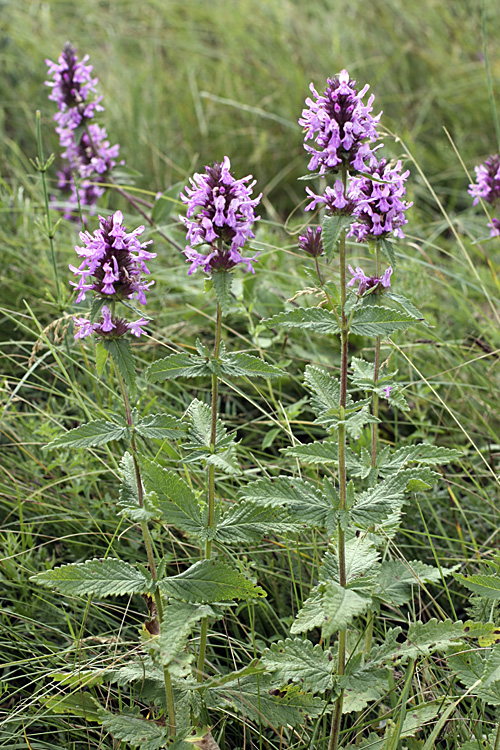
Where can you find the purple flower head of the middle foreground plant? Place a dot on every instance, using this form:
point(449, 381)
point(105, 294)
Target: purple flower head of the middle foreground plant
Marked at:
point(220, 214)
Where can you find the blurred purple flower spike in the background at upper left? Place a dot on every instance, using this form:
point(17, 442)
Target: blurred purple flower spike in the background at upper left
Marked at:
point(87, 150)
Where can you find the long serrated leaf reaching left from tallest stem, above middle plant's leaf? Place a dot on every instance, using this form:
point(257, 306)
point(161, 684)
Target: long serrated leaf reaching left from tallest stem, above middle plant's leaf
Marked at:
point(306, 503)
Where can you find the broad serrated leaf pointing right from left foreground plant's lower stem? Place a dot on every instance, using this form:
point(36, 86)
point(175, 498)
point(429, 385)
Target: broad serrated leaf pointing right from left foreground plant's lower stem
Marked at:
point(210, 581)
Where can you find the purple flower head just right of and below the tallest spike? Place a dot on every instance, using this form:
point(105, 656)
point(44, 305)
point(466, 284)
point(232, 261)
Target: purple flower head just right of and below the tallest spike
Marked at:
point(379, 205)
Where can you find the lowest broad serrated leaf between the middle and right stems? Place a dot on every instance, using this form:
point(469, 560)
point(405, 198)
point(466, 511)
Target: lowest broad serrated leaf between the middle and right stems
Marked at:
point(252, 696)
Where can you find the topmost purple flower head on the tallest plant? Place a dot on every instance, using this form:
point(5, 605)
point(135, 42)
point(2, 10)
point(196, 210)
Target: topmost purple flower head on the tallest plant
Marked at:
point(340, 124)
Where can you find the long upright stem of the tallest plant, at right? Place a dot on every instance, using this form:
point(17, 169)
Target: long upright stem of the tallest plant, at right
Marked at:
point(344, 345)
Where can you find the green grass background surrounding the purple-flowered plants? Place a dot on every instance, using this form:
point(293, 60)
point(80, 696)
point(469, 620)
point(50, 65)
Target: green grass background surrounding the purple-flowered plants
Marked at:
point(185, 83)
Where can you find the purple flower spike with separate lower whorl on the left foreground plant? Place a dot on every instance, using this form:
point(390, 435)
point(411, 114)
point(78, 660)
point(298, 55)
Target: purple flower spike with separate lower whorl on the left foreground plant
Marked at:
point(113, 265)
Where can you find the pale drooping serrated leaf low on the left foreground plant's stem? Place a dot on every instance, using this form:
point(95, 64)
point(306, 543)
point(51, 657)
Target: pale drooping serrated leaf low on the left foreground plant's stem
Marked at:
point(179, 618)
